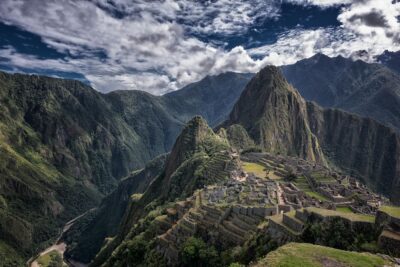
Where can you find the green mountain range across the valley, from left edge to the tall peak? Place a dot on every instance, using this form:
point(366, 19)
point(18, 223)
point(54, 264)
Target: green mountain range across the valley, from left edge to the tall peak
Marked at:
point(64, 146)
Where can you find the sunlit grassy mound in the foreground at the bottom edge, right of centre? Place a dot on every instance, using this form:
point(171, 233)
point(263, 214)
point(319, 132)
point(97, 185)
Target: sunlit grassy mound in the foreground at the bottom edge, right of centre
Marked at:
point(308, 255)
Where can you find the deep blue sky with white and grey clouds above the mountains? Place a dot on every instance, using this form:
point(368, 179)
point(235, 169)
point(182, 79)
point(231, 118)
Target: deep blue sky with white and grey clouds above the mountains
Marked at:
point(162, 45)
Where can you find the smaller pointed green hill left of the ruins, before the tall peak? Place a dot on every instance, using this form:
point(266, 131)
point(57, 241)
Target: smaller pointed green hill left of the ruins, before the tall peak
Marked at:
point(199, 157)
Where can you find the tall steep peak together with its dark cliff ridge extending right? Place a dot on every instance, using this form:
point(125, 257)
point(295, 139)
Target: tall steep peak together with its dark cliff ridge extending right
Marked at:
point(280, 121)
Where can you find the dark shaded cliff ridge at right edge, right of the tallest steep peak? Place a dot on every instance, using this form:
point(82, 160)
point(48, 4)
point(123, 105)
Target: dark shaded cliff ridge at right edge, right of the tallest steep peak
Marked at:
point(360, 145)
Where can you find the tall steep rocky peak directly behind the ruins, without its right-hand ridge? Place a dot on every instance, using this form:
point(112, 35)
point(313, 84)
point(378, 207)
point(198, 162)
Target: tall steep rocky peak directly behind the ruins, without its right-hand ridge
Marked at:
point(275, 116)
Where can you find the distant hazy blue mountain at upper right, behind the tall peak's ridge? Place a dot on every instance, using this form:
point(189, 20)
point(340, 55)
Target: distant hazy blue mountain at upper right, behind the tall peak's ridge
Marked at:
point(369, 90)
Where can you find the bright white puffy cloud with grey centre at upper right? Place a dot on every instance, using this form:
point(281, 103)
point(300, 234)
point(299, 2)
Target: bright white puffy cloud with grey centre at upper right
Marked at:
point(368, 29)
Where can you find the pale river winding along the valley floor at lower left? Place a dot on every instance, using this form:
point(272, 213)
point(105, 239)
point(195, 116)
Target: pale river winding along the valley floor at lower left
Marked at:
point(61, 246)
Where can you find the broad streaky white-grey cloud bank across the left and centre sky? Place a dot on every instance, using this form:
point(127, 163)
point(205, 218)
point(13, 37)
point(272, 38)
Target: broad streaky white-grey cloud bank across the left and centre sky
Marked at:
point(143, 48)
